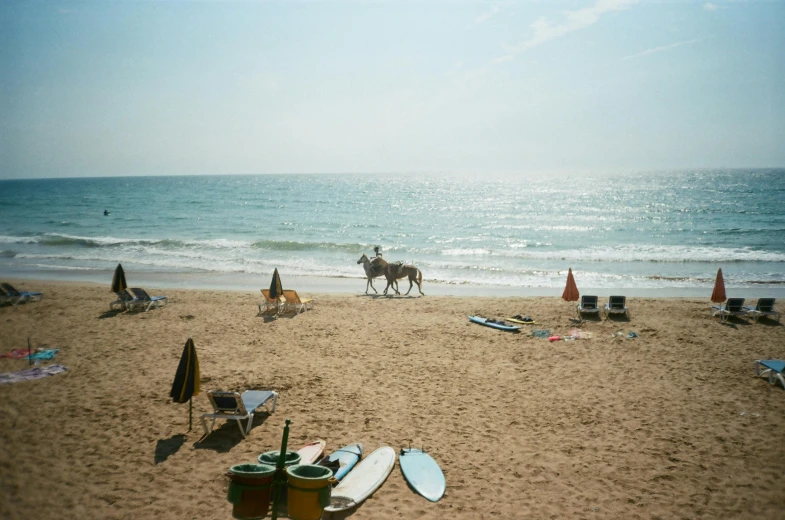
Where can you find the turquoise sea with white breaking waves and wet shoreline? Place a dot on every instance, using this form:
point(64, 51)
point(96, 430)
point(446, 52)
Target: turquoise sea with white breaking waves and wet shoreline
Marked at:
point(641, 232)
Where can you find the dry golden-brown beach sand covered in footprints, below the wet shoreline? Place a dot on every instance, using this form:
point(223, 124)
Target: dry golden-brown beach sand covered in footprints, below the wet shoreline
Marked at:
point(673, 424)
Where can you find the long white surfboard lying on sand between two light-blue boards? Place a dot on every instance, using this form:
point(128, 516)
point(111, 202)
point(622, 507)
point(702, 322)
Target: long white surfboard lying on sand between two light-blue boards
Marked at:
point(366, 477)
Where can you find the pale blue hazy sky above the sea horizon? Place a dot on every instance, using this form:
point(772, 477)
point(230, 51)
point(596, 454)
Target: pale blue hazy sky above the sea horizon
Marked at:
point(178, 87)
